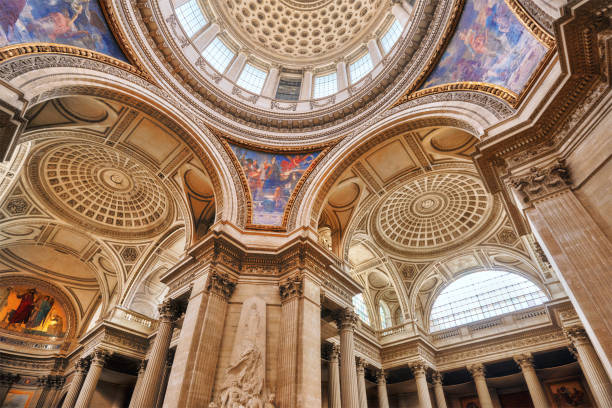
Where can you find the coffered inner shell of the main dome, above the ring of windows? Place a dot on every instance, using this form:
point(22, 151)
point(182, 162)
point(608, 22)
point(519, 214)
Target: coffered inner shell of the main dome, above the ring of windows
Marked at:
point(303, 31)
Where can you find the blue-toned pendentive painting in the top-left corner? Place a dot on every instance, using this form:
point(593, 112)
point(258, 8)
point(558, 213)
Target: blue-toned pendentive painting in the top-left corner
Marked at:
point(79, 23)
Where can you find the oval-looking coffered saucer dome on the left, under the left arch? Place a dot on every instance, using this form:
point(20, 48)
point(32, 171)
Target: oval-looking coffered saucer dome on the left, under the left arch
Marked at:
point(101, 188)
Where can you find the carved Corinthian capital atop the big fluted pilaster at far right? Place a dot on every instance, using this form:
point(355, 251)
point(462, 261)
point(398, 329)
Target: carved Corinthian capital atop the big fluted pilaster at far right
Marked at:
point(541, 181)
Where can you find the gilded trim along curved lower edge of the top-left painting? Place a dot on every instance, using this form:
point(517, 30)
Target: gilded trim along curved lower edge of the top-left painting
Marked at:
point(18, 50)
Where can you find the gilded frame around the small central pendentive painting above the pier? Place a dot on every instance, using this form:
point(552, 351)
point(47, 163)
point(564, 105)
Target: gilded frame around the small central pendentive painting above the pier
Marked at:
point(247, 191)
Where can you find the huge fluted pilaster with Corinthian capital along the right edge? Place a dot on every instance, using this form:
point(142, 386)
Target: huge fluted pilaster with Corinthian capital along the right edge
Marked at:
point(579, 251)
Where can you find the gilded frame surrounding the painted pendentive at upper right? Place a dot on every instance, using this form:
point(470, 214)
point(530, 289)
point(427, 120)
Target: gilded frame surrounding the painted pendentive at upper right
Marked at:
point(496, 90)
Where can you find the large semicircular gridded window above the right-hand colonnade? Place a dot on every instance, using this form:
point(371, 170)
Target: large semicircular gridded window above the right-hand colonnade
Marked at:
point(481, 295)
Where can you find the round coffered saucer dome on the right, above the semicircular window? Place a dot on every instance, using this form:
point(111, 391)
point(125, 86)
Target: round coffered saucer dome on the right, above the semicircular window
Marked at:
point(434, 212)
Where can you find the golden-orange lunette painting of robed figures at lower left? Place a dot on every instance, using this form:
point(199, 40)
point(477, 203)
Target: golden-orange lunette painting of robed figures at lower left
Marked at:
point(28, 310)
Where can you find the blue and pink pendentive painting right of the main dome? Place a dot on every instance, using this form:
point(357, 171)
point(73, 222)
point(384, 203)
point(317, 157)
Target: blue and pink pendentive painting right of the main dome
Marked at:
point(490, 45)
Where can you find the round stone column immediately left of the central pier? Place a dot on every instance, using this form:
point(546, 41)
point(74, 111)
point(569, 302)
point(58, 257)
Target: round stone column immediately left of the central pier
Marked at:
point(157, 359)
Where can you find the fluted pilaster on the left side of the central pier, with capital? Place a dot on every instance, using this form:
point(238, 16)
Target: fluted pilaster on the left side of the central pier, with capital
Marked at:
point(220, 288)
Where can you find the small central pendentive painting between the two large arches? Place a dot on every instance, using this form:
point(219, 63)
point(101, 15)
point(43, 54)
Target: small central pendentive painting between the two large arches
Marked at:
point(271, 178)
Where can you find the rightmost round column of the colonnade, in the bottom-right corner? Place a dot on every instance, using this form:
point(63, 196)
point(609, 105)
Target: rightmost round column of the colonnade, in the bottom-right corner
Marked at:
point(593, 370)
